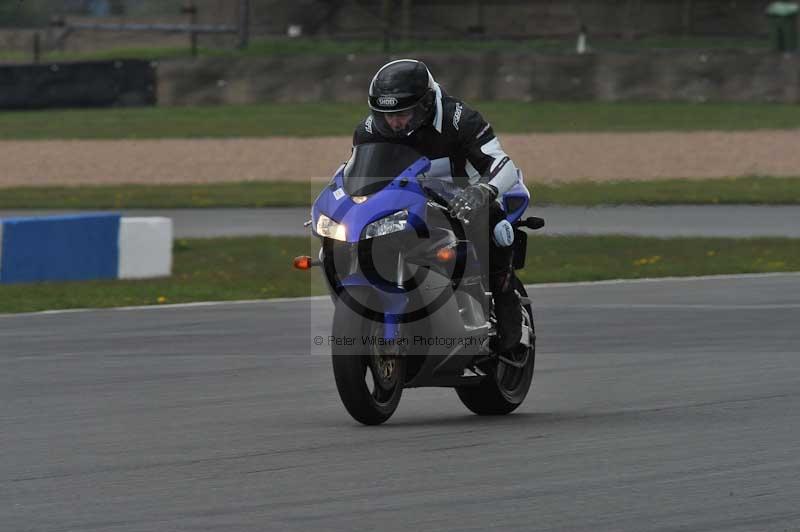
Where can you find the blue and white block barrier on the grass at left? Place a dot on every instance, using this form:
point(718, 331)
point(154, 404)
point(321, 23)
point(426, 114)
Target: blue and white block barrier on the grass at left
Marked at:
point(83, 247)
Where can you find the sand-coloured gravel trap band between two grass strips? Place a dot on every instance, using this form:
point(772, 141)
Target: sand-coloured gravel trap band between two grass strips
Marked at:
point(543, 157)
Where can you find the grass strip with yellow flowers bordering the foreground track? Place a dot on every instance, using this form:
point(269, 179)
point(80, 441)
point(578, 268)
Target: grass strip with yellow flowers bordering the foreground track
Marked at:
point(259, 267)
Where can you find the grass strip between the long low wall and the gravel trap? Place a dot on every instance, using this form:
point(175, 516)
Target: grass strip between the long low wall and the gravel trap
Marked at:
point(318, 119)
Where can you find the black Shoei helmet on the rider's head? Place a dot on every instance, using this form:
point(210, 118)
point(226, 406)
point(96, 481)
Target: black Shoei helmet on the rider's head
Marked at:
point(405, 87)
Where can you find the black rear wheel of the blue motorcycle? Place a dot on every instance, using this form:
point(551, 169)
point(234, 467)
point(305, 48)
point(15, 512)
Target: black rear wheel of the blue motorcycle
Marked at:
point(505, 387)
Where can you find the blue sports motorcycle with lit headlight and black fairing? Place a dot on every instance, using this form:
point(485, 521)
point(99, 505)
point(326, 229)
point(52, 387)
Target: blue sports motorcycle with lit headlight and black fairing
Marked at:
point(412, 305)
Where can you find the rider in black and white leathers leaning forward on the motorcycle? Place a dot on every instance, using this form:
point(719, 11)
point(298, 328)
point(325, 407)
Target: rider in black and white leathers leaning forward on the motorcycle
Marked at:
point(409, 107)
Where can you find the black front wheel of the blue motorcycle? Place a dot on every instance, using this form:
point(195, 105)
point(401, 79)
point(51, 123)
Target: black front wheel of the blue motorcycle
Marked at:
point(369, 377)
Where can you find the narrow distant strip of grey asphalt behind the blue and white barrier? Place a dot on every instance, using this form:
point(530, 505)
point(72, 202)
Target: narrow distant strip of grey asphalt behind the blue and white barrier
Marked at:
point(666, 221)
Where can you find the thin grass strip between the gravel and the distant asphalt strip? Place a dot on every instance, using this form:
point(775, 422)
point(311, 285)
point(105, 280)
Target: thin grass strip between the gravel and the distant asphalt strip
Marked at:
point(744, 190)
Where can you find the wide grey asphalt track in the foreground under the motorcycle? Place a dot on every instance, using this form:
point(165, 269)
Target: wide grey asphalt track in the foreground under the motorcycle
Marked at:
point(657, 405)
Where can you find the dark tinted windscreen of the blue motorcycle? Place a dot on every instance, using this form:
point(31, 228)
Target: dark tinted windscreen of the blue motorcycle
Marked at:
point(373, 166)
